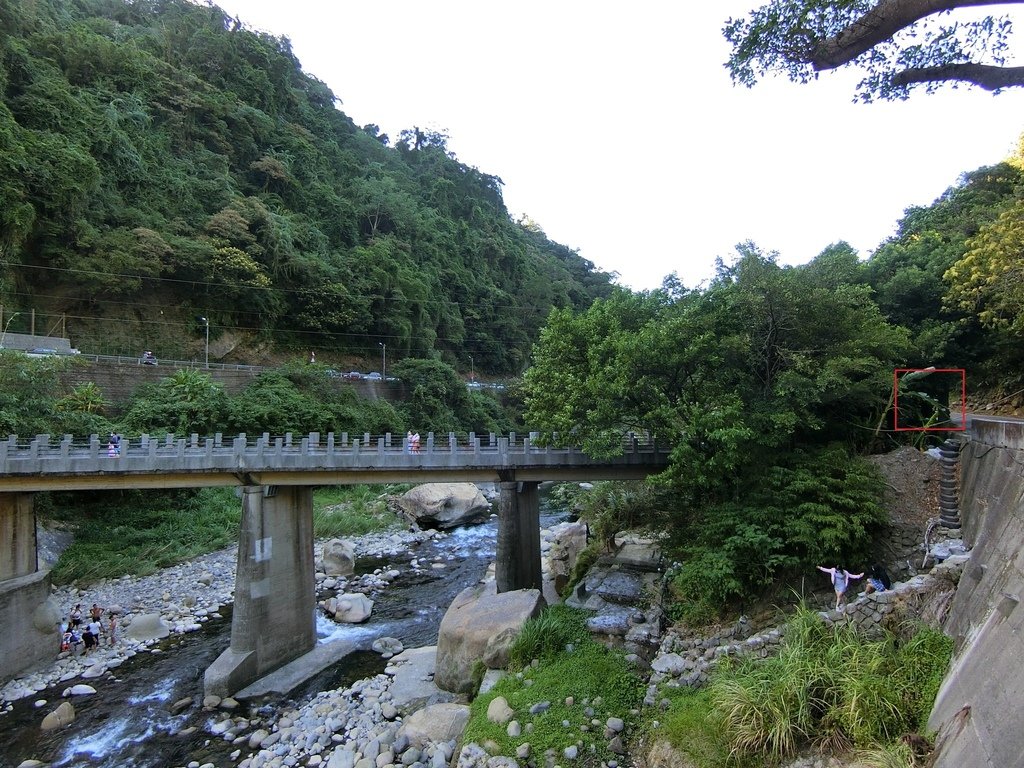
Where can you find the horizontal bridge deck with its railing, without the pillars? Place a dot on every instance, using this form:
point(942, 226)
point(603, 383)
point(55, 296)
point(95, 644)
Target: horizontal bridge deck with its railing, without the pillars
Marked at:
point(41, 464)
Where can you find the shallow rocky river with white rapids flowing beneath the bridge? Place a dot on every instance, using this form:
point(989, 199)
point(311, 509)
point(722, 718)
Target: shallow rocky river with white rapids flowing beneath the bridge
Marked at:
point(127, 722)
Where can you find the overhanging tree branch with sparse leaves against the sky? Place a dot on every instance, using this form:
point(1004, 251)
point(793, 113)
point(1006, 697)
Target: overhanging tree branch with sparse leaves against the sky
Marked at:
point(899, 45)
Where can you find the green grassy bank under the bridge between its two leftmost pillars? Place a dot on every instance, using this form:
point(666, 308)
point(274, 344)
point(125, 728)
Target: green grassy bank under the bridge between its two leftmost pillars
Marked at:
point(138, 533)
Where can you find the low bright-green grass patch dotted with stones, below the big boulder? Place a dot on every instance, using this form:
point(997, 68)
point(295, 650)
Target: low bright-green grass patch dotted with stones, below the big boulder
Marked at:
point(587, 684)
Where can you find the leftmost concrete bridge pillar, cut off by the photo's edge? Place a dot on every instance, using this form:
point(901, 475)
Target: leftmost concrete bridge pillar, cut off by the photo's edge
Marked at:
point(31, 618)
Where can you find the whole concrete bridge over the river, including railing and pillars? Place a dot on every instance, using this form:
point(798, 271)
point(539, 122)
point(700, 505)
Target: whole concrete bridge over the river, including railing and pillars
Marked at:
point(274, 615)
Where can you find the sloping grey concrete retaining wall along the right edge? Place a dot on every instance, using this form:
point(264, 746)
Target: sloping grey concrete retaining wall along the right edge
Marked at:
point(977, 714)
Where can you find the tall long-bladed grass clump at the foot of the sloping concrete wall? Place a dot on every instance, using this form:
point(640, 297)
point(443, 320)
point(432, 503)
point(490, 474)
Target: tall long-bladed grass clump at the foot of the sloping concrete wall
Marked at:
point(828, 687)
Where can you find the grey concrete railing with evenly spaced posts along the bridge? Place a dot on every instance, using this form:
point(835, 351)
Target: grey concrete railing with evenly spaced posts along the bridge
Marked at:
point(45, 454)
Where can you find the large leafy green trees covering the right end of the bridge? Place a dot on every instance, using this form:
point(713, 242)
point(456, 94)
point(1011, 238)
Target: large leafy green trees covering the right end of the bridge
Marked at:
point(762, 383)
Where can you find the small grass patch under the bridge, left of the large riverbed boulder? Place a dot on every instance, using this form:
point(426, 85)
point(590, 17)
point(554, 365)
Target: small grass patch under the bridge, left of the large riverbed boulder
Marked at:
point(354, 510)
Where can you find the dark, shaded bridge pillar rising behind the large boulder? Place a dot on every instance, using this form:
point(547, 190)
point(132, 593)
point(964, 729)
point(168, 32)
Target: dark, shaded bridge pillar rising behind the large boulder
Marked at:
point(519, 537)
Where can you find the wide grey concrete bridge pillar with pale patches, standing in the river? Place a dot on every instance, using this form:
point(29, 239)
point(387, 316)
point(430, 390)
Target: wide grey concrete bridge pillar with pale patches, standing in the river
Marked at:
point(274, 620)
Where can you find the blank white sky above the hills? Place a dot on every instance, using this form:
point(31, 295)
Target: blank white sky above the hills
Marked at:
point(617, 129)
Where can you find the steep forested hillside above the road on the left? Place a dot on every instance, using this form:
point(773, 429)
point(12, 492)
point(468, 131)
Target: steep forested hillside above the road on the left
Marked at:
point(159, 163)
